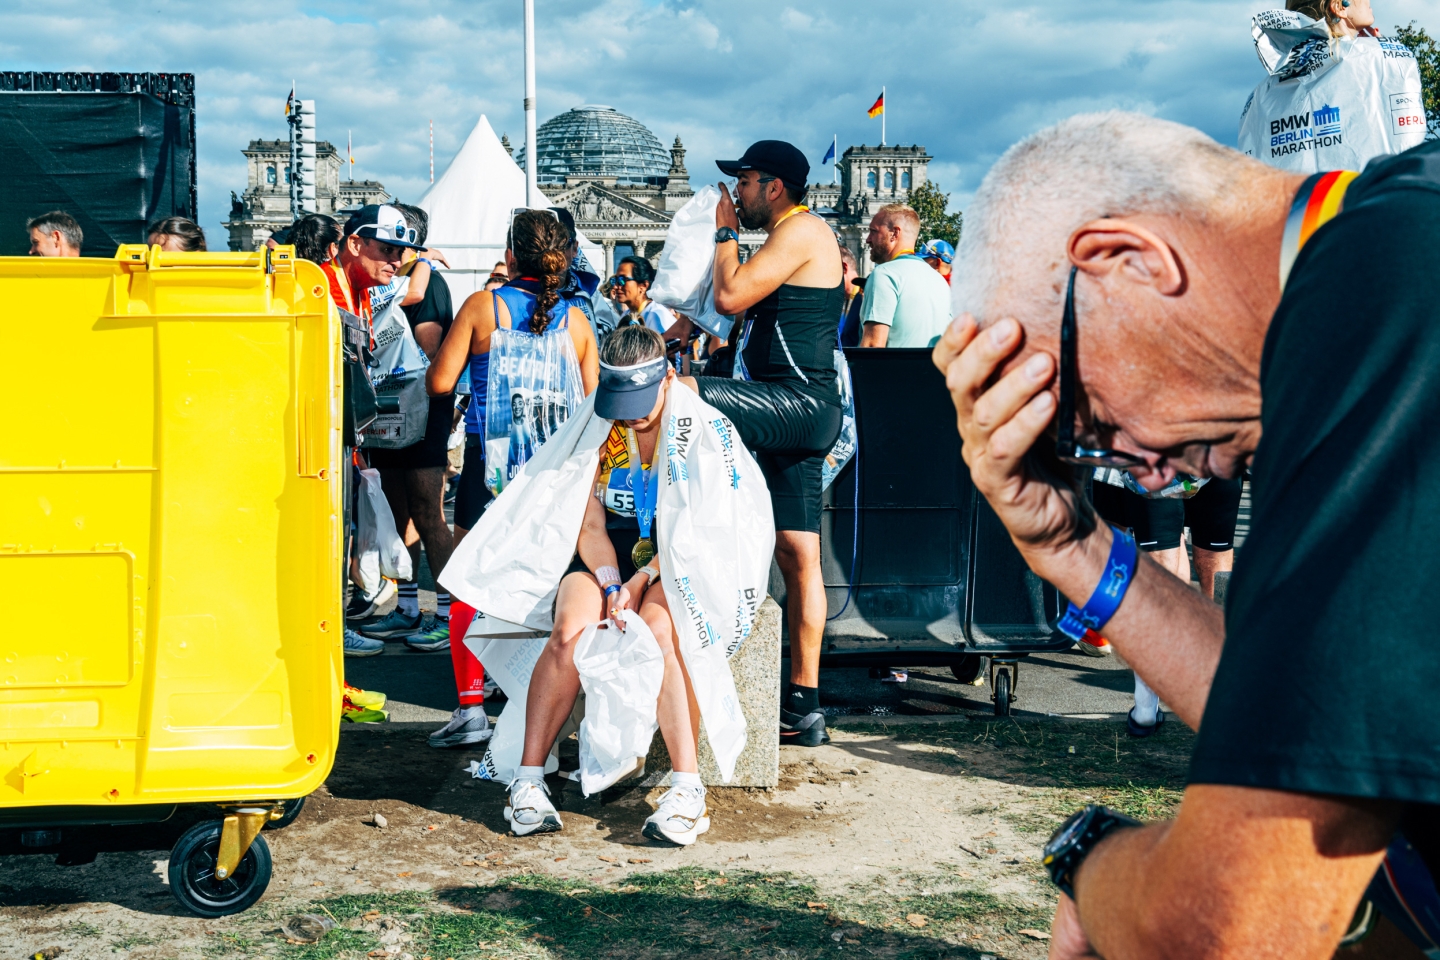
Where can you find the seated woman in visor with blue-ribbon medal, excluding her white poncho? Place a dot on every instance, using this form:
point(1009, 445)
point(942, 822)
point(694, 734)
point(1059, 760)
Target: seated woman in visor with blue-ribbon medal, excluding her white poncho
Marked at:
point(617, 569)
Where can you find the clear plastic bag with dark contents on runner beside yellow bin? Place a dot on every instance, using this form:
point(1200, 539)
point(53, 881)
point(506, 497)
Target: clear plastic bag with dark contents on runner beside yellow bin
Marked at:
point(398, 373)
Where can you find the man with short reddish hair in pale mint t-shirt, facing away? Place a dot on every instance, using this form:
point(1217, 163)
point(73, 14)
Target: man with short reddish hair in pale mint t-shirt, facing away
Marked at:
point(906, 304)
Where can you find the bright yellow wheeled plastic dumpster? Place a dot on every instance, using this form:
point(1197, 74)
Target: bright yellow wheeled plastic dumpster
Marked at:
point(171, 497)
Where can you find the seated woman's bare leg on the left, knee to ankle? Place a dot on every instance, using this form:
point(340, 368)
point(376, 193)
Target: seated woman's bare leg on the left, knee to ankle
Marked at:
point(555, 683)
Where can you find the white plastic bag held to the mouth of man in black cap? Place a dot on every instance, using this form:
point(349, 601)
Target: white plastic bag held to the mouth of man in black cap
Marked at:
point(685, 280)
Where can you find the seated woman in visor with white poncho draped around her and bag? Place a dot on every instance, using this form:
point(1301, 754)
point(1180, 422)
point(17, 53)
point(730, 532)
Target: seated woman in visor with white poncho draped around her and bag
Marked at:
point(643, 507)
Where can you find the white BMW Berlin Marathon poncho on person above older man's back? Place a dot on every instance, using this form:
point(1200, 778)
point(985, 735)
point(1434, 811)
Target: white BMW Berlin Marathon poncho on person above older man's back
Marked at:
point(1330, 103)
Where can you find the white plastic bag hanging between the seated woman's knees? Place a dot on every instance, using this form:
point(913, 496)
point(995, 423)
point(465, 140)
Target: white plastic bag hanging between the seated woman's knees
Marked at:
point(621, 671)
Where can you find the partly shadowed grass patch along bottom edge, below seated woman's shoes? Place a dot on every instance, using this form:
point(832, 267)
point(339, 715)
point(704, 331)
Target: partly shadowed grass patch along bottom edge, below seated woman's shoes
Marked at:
point(685, 913)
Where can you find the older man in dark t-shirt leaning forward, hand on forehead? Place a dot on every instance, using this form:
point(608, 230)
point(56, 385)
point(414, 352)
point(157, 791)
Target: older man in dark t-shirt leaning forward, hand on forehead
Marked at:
point(1176, 309)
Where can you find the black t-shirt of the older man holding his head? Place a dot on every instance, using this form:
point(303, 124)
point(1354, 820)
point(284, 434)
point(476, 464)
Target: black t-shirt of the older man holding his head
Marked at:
point(1330, 681)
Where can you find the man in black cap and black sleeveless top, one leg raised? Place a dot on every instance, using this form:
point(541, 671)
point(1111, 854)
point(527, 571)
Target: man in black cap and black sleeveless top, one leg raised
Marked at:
point(784, 401)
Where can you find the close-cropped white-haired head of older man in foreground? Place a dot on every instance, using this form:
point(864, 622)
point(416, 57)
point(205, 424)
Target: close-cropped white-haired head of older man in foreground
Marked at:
point(1176, 245)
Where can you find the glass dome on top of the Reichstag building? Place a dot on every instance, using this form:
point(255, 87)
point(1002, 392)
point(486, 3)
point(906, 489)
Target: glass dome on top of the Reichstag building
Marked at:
point(598, 142)
